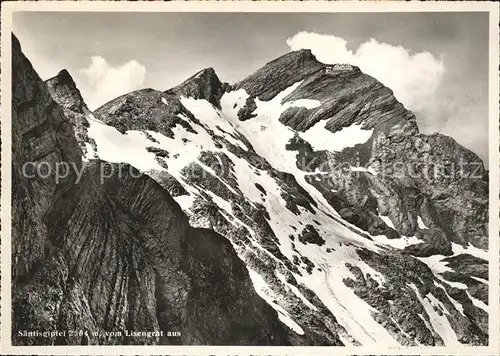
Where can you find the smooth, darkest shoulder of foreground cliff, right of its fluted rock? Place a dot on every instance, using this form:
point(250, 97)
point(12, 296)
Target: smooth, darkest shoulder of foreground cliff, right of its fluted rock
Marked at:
point(219, 279)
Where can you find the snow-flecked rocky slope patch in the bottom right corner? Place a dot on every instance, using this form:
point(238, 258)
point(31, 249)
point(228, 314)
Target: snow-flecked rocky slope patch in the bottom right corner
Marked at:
point(400, 303)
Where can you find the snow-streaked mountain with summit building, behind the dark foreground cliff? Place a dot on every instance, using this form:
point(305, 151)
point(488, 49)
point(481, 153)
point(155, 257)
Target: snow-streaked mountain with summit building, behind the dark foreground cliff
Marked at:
point(307, 172)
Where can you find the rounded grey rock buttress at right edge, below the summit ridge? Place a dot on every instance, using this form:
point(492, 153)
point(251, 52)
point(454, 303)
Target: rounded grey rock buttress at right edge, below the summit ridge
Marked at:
point(446, 196)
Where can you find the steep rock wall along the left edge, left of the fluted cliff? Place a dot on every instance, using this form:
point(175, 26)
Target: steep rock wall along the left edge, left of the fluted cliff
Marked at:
point(40, 133)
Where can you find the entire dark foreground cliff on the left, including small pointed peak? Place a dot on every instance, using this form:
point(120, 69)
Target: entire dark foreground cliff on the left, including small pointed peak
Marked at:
point(106, 249)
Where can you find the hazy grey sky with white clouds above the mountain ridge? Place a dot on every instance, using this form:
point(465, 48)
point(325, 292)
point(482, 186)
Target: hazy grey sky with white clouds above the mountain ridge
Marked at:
point(436, 63)
